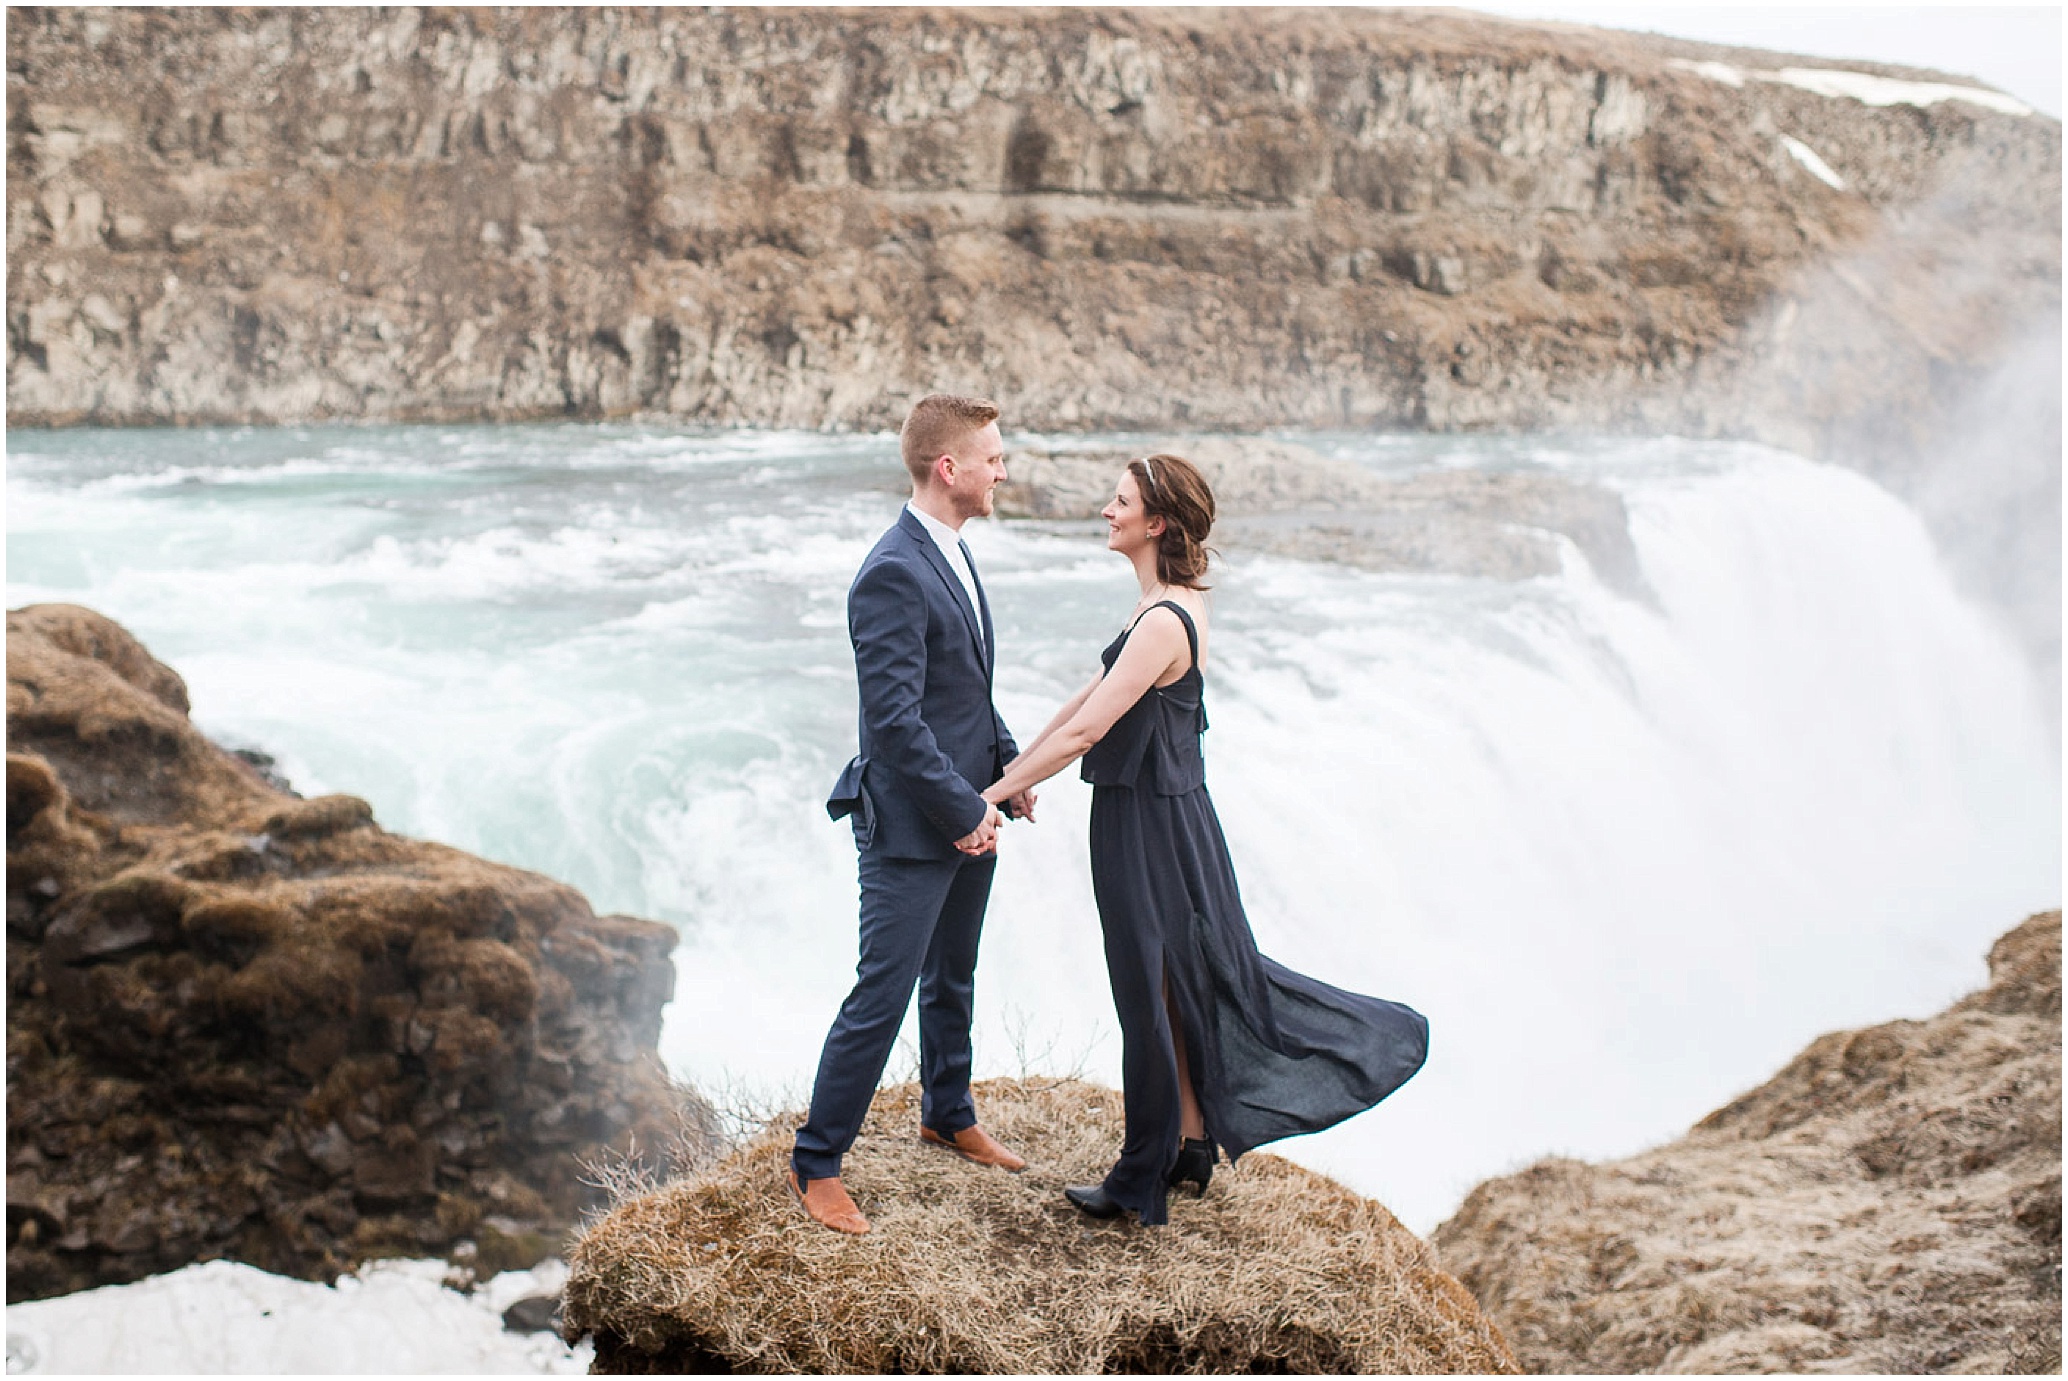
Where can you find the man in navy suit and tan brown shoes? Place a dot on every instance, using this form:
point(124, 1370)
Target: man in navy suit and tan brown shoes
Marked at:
point(932, 741)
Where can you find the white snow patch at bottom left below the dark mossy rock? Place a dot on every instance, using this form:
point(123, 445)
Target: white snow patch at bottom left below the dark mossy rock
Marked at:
point(231, 1318)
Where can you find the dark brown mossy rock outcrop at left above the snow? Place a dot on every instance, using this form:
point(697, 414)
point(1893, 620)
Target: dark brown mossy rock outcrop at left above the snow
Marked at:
point(243, 1024)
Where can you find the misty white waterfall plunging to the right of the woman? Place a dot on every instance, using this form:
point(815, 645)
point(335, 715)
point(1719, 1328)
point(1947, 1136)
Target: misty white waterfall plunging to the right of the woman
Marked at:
point(1629, 859)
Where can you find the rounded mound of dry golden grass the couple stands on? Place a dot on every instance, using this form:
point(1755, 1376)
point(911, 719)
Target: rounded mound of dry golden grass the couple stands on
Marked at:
point(973, 1270)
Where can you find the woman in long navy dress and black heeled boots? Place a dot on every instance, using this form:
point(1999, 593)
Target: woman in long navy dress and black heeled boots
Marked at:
point(1219, 1045)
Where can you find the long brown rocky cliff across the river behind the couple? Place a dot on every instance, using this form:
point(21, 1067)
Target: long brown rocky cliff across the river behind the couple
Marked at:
point(1107, 220)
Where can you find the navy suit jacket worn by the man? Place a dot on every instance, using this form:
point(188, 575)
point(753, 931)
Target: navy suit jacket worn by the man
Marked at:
point(932, 737)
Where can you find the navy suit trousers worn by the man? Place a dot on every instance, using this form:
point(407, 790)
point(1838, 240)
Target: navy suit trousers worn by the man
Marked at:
point(921, 921)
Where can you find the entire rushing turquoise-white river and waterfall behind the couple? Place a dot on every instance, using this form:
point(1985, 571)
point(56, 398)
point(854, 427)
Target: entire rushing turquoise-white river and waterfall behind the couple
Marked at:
point(1626, 857)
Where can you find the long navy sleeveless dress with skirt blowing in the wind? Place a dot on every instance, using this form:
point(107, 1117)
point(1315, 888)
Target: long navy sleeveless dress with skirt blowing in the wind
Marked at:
point(1273, 1053)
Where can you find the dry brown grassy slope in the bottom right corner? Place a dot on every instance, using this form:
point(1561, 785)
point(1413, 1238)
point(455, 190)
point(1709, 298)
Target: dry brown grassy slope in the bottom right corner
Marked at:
point(1889, 1202)
